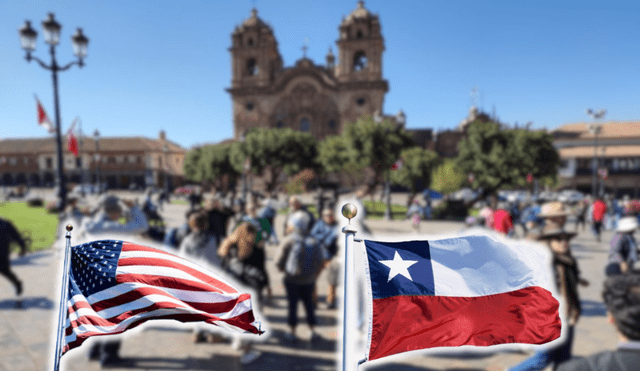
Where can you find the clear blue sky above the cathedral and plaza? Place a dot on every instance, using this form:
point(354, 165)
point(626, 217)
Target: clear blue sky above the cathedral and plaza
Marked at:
point(156, 65)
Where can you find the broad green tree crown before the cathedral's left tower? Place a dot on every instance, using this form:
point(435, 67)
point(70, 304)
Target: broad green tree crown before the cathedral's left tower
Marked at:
point(275, 151)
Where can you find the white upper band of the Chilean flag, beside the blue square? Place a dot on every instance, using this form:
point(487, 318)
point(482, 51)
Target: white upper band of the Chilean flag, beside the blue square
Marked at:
point(482, 265)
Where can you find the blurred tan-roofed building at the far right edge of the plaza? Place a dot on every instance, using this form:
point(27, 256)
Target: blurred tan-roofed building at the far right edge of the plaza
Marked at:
point(615, 152)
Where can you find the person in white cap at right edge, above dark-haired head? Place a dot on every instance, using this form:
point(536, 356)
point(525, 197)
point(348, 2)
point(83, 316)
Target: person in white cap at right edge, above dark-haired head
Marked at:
point(623, 254)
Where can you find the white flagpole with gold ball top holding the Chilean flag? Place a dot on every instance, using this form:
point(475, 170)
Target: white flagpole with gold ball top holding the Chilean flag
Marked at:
point(349, 211)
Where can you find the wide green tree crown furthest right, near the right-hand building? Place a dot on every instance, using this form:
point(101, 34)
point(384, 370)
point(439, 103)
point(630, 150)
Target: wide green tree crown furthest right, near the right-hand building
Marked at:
point(500, 157)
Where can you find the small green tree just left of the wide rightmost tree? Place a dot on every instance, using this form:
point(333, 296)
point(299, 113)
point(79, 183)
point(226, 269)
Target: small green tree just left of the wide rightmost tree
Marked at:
point(415, 171)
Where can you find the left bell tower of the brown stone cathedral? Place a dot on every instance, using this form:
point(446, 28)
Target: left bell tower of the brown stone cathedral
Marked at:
point(254, 54)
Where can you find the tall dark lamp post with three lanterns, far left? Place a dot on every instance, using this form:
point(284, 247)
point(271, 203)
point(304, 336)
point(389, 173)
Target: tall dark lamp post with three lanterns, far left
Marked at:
point(52, 37)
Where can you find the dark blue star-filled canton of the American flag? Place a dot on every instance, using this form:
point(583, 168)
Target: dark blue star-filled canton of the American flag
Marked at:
point(93, 267)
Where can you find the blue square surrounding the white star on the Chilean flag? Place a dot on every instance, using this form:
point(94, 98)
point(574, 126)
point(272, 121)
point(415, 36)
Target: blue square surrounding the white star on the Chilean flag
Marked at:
point(421, 272)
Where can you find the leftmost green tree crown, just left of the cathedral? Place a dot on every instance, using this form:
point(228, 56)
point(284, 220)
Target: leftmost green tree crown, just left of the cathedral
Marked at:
point(210, 164)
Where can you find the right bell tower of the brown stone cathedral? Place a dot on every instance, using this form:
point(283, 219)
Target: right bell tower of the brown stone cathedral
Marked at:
point(360, 47)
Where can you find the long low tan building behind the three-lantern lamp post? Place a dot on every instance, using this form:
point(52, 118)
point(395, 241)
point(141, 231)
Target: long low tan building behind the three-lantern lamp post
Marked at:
point(119, 161)
